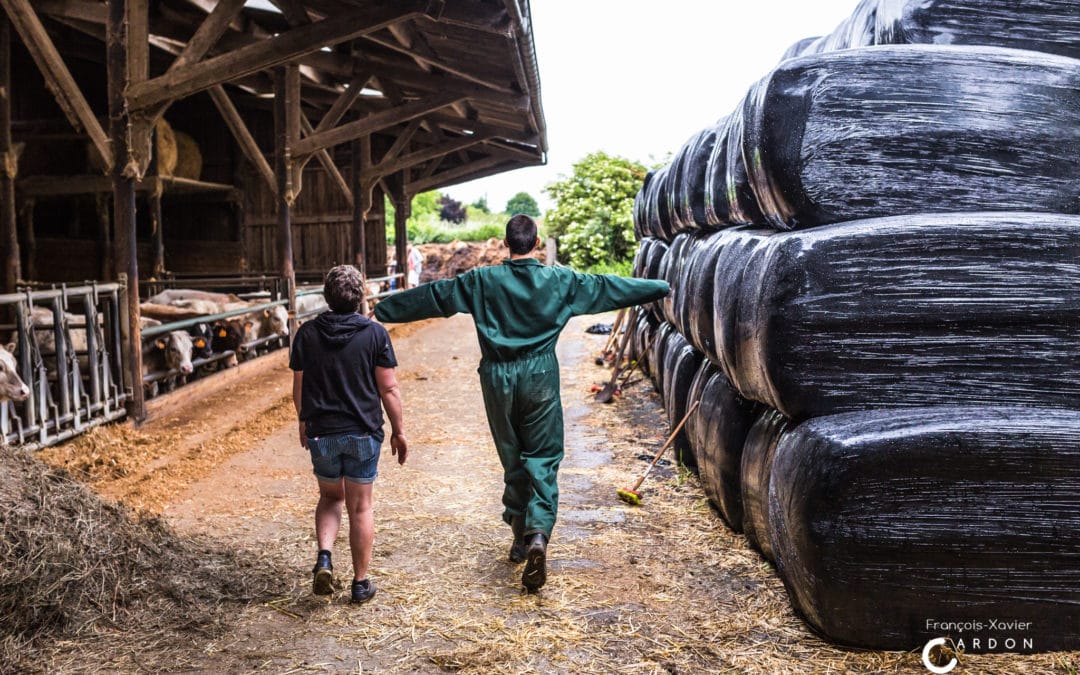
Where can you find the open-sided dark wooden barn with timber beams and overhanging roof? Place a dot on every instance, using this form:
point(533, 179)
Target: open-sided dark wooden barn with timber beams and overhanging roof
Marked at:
point(145, 141)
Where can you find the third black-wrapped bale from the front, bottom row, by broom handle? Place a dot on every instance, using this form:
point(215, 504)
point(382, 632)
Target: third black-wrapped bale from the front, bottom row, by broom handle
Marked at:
point(719, 437)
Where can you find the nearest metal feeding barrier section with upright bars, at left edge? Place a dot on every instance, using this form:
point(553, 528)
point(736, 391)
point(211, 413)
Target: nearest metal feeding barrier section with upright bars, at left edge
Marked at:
point(69, 354)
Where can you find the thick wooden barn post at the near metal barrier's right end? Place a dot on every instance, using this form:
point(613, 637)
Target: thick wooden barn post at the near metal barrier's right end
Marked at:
point(124, 200)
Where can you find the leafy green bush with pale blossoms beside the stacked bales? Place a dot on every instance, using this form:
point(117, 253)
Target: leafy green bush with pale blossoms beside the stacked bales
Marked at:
point(593, 215)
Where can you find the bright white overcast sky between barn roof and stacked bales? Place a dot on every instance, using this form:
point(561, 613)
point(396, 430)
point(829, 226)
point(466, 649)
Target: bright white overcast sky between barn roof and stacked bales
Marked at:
point(637, 79)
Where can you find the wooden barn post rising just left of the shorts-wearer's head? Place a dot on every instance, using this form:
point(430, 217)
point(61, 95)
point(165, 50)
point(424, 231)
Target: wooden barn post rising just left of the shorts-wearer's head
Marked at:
point(287, 124)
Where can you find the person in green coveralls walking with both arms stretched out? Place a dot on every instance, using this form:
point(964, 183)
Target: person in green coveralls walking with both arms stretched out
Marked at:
point(520, 308)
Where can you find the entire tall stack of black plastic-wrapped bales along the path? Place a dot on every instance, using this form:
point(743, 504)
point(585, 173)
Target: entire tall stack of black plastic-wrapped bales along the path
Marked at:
point(874, 263)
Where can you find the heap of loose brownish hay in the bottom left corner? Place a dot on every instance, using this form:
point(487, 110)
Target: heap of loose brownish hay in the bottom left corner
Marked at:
point(85, 585)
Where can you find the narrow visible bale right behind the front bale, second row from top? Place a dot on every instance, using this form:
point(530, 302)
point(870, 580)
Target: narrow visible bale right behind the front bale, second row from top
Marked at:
point(730, 199)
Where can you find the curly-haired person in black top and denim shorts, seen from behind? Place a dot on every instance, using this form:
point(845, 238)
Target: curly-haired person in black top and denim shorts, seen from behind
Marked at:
point(343, 368)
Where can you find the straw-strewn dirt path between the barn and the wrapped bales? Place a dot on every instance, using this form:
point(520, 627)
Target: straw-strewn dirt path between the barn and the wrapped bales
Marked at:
point(660, 589)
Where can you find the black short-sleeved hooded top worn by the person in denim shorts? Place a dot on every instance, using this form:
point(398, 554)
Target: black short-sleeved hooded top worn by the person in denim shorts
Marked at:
point(339, 355)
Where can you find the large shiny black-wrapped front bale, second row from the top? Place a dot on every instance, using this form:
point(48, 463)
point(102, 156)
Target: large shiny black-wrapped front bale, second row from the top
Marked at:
point(901, 130)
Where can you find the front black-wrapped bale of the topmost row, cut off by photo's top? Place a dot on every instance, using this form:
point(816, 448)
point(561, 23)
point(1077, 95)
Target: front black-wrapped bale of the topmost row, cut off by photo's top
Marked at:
point(1050, 26)
